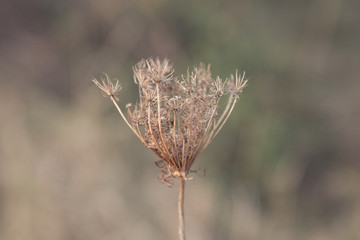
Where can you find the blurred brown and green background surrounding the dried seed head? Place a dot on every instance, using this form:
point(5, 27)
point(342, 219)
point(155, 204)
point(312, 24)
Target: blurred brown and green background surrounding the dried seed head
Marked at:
point(285, 166)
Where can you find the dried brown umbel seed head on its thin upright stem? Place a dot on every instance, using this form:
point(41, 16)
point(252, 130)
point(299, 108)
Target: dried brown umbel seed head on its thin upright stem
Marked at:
point(176, 117)
